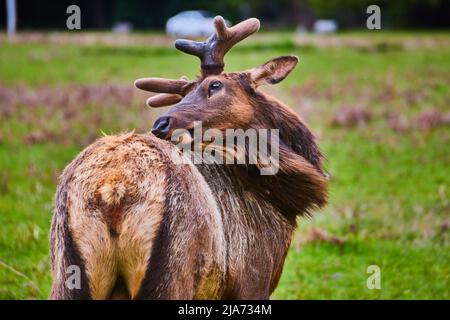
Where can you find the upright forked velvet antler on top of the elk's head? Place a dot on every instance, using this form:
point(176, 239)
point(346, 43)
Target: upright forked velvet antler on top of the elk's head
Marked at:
point(212, 51)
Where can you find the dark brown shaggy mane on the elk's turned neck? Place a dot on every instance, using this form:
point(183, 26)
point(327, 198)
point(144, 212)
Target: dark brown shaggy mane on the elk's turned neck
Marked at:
point(300, 184)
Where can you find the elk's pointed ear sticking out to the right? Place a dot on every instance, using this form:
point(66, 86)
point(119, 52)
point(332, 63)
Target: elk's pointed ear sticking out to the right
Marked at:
point(273, 71)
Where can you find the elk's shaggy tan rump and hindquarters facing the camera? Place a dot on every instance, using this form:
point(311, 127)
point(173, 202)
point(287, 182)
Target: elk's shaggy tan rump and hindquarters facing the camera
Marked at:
point(122, 209)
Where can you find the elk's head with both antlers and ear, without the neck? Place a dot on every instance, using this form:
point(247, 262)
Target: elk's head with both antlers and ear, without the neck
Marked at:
point(219, 100)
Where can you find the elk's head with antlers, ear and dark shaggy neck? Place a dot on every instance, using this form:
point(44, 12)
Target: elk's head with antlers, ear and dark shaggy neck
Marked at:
point(232, 101)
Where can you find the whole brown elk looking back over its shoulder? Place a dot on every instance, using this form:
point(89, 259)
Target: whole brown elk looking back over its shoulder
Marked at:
point(140, 225)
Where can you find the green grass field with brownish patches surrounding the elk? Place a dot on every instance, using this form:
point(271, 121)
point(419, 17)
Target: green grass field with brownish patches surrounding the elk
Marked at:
point(381, 113)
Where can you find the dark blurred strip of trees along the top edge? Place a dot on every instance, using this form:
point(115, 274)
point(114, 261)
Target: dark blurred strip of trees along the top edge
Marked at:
point(142, 14)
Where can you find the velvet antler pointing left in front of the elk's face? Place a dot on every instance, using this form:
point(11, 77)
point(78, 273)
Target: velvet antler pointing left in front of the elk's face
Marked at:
point(171, 91)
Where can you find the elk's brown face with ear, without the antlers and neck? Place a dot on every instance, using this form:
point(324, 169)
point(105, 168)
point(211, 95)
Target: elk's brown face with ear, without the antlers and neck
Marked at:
point(220, 101)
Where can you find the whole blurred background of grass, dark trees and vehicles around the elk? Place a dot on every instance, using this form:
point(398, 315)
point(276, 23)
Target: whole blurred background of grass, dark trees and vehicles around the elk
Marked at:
point(378, 101)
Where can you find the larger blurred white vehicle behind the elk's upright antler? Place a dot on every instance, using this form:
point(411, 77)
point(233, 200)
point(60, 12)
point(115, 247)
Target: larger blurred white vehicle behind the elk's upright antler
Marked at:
point(191, 24)
